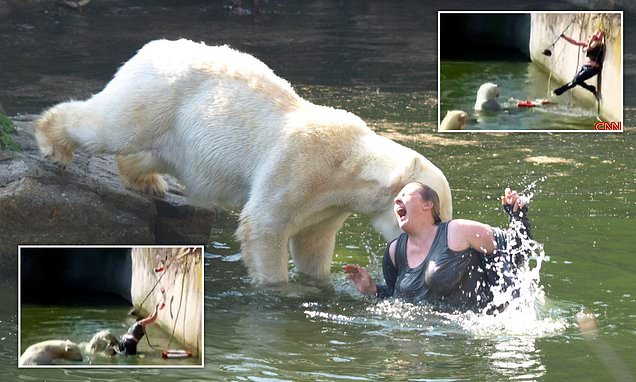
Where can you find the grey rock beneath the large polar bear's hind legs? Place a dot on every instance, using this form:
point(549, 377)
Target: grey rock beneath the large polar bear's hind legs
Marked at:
point(85, 204)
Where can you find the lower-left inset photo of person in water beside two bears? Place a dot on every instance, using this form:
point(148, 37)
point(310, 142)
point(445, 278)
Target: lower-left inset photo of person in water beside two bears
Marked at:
point(115, 306)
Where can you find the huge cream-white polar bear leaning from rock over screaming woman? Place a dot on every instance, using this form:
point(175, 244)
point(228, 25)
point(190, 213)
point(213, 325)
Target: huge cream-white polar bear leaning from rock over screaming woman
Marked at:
point(237, 135)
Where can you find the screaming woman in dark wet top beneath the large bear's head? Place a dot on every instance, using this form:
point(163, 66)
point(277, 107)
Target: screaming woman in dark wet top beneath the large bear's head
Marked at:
point(450, 264)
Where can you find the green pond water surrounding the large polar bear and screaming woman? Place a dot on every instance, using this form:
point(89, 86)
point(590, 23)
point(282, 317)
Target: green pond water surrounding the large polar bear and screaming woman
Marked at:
point(583, 209)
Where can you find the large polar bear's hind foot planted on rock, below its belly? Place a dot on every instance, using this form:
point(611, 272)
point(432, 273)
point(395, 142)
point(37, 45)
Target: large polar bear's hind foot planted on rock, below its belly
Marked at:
point(141, 172)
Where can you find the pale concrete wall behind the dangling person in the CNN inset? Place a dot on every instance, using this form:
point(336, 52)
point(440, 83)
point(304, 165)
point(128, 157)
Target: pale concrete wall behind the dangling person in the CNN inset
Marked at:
point(566, 58)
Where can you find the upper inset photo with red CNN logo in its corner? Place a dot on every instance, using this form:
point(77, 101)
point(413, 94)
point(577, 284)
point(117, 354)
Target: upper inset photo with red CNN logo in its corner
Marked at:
point(532, 72)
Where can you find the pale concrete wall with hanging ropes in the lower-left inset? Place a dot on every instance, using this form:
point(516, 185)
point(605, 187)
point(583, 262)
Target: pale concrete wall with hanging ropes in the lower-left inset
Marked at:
point(182, 280)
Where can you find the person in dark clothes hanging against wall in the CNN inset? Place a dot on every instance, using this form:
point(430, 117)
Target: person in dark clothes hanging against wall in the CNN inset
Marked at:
point(594, 51)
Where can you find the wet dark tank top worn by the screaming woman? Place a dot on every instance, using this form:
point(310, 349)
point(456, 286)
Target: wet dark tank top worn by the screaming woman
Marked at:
point(445, 277)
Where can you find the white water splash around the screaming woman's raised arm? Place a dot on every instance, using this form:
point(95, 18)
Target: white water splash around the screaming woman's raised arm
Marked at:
point(527, 311)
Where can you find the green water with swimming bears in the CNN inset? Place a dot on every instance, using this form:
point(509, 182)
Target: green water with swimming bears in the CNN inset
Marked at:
point(517, 81)
